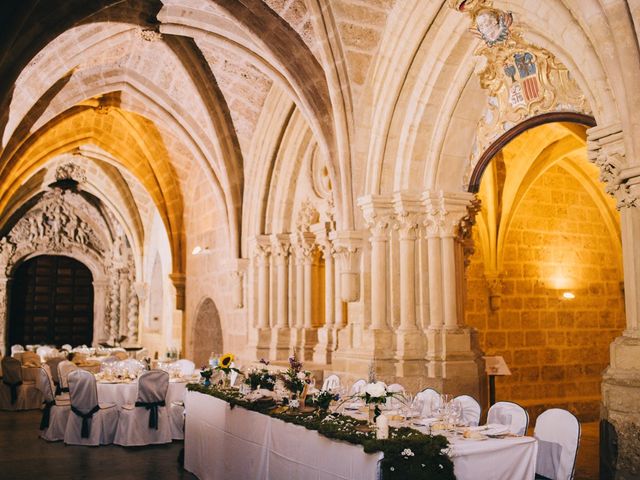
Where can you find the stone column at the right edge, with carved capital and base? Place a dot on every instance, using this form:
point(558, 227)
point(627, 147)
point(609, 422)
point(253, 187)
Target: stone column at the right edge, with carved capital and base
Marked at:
point(621, 380)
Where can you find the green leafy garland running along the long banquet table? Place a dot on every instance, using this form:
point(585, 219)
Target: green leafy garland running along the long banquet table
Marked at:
point(407, 453)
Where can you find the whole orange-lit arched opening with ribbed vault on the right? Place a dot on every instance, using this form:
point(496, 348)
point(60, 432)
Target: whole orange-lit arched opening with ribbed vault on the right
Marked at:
point(544, 283)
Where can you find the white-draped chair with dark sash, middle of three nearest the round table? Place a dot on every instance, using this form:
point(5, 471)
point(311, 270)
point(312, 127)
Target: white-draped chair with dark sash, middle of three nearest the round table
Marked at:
point(89, 423)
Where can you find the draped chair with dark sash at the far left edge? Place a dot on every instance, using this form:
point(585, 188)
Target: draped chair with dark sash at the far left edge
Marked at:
point(16, 393)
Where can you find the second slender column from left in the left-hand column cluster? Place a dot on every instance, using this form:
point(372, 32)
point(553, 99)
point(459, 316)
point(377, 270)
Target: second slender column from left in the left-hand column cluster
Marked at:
point(280, 335)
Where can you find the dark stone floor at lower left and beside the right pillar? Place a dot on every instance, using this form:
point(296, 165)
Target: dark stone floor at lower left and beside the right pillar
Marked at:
point(24, 456)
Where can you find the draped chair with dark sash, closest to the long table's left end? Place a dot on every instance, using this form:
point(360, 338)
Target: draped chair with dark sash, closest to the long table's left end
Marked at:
point(148, 421)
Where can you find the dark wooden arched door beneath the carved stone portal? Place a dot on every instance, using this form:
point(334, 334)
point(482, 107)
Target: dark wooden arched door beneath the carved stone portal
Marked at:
point(51, 302)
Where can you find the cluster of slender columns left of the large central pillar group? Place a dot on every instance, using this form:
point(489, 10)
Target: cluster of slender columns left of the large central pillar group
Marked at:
point(295, 306)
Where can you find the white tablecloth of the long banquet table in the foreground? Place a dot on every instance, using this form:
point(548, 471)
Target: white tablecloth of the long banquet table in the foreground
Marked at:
point(223, 443)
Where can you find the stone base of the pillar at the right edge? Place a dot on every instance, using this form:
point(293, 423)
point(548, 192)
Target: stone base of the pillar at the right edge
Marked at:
point(620, 400)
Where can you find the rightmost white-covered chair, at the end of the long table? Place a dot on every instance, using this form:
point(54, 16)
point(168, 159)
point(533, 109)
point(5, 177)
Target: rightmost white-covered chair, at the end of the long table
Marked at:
point(558, 435)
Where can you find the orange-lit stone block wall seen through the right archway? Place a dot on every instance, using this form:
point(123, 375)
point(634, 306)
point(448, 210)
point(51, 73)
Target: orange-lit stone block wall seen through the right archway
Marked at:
point(556, 348)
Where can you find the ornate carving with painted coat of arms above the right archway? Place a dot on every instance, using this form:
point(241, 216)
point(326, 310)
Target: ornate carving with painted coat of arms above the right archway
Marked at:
point(521, 79)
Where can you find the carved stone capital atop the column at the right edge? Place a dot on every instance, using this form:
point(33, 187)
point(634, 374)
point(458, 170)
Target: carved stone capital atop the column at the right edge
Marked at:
point(605, 148)
